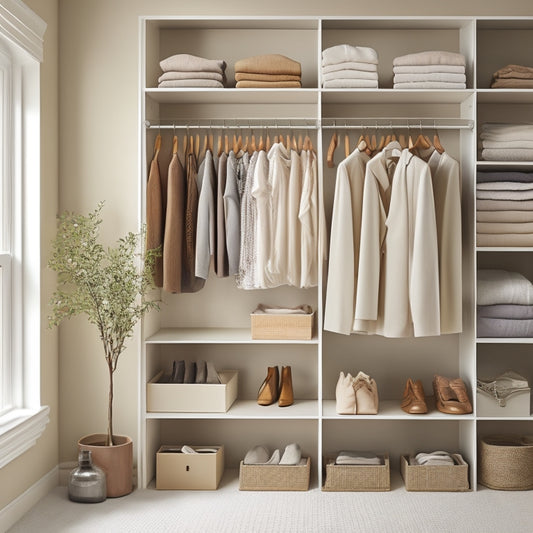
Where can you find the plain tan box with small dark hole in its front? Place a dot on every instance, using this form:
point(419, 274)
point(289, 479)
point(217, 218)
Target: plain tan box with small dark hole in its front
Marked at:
point(177, 470)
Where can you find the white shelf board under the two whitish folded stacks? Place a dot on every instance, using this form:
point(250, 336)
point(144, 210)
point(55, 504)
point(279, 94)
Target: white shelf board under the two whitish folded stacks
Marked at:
point(395, 96)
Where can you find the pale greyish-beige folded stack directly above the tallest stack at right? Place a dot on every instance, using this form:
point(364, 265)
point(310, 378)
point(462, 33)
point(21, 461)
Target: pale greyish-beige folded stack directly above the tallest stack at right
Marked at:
point(507, 142)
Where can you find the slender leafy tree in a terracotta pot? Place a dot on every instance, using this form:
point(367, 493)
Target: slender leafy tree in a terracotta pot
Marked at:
point(110, 285)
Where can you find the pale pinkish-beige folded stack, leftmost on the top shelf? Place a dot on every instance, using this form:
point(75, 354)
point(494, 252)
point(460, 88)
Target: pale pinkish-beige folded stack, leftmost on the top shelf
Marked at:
point(185, 70)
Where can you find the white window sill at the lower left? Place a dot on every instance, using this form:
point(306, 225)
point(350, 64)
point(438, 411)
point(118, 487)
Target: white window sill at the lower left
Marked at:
point(19, 431)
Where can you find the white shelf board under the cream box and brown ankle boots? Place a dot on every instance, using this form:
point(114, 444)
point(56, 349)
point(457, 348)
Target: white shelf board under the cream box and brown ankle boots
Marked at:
point(249, 409)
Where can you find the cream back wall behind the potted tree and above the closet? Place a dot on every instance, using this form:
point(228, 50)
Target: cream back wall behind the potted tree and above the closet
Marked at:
point(99, 156)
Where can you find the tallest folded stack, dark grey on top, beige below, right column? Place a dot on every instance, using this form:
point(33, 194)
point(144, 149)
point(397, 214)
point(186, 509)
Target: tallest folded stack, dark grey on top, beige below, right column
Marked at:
point(504, 211)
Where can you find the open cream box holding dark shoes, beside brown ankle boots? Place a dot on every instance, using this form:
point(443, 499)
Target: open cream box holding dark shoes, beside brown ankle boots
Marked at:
point(192, 397)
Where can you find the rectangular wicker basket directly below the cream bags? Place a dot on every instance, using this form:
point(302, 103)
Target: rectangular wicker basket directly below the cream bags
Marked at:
point(352, 478)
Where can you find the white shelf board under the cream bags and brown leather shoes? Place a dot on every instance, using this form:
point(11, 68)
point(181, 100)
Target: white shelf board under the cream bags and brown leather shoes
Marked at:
point(390, 410)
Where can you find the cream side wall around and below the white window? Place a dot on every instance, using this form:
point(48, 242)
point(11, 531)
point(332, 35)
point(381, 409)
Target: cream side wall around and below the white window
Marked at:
point(31, 466)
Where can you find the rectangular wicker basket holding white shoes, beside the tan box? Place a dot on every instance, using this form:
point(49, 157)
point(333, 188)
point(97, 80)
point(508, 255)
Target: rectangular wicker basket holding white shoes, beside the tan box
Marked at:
point(275, 477)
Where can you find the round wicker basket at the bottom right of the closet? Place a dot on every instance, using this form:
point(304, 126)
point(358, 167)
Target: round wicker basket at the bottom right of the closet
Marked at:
point(506, 462)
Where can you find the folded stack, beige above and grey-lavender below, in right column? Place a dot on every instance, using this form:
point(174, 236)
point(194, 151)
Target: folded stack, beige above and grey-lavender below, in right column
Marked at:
point(505, 304)
